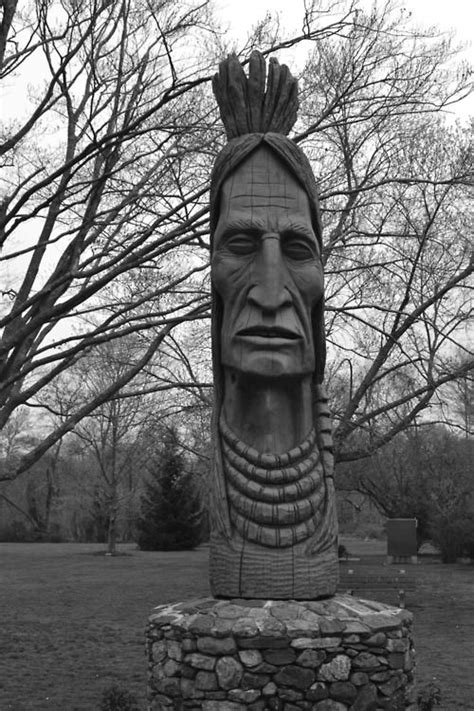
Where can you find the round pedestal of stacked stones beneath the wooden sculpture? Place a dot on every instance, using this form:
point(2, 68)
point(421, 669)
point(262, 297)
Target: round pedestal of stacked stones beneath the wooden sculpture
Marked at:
point(340, 654)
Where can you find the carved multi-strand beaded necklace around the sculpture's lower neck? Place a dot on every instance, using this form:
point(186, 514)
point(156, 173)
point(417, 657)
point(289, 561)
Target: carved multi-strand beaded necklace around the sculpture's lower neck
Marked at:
point(274, 499)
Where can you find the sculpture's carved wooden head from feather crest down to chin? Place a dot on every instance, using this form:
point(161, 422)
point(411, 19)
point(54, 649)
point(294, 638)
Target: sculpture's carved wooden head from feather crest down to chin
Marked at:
point(265, 231)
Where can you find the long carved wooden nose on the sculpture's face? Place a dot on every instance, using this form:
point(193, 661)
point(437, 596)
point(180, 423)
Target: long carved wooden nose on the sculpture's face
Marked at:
point(269, 292)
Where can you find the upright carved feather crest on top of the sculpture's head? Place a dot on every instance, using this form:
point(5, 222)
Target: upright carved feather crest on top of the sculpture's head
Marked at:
point(248, 106)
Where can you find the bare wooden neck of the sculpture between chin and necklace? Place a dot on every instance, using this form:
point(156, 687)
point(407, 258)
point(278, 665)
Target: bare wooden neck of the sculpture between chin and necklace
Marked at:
point(272, 415)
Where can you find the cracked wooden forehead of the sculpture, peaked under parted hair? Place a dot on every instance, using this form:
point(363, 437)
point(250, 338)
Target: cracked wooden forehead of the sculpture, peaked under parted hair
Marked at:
point(263, 189)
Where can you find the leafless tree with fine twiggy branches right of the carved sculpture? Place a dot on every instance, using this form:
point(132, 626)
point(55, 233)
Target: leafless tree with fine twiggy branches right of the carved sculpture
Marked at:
point(395, 177)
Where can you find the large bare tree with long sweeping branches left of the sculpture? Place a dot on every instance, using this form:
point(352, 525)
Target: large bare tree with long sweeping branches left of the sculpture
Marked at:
point(104, 208)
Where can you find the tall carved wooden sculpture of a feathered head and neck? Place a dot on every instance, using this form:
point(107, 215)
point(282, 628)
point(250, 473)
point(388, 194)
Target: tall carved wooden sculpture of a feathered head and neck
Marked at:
point(273, 522)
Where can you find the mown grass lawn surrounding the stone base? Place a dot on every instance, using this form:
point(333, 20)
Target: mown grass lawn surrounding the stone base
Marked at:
point(72, 621)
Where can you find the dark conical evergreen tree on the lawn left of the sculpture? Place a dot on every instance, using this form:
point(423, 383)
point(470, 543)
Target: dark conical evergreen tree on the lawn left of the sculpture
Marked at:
point(171, 511)
